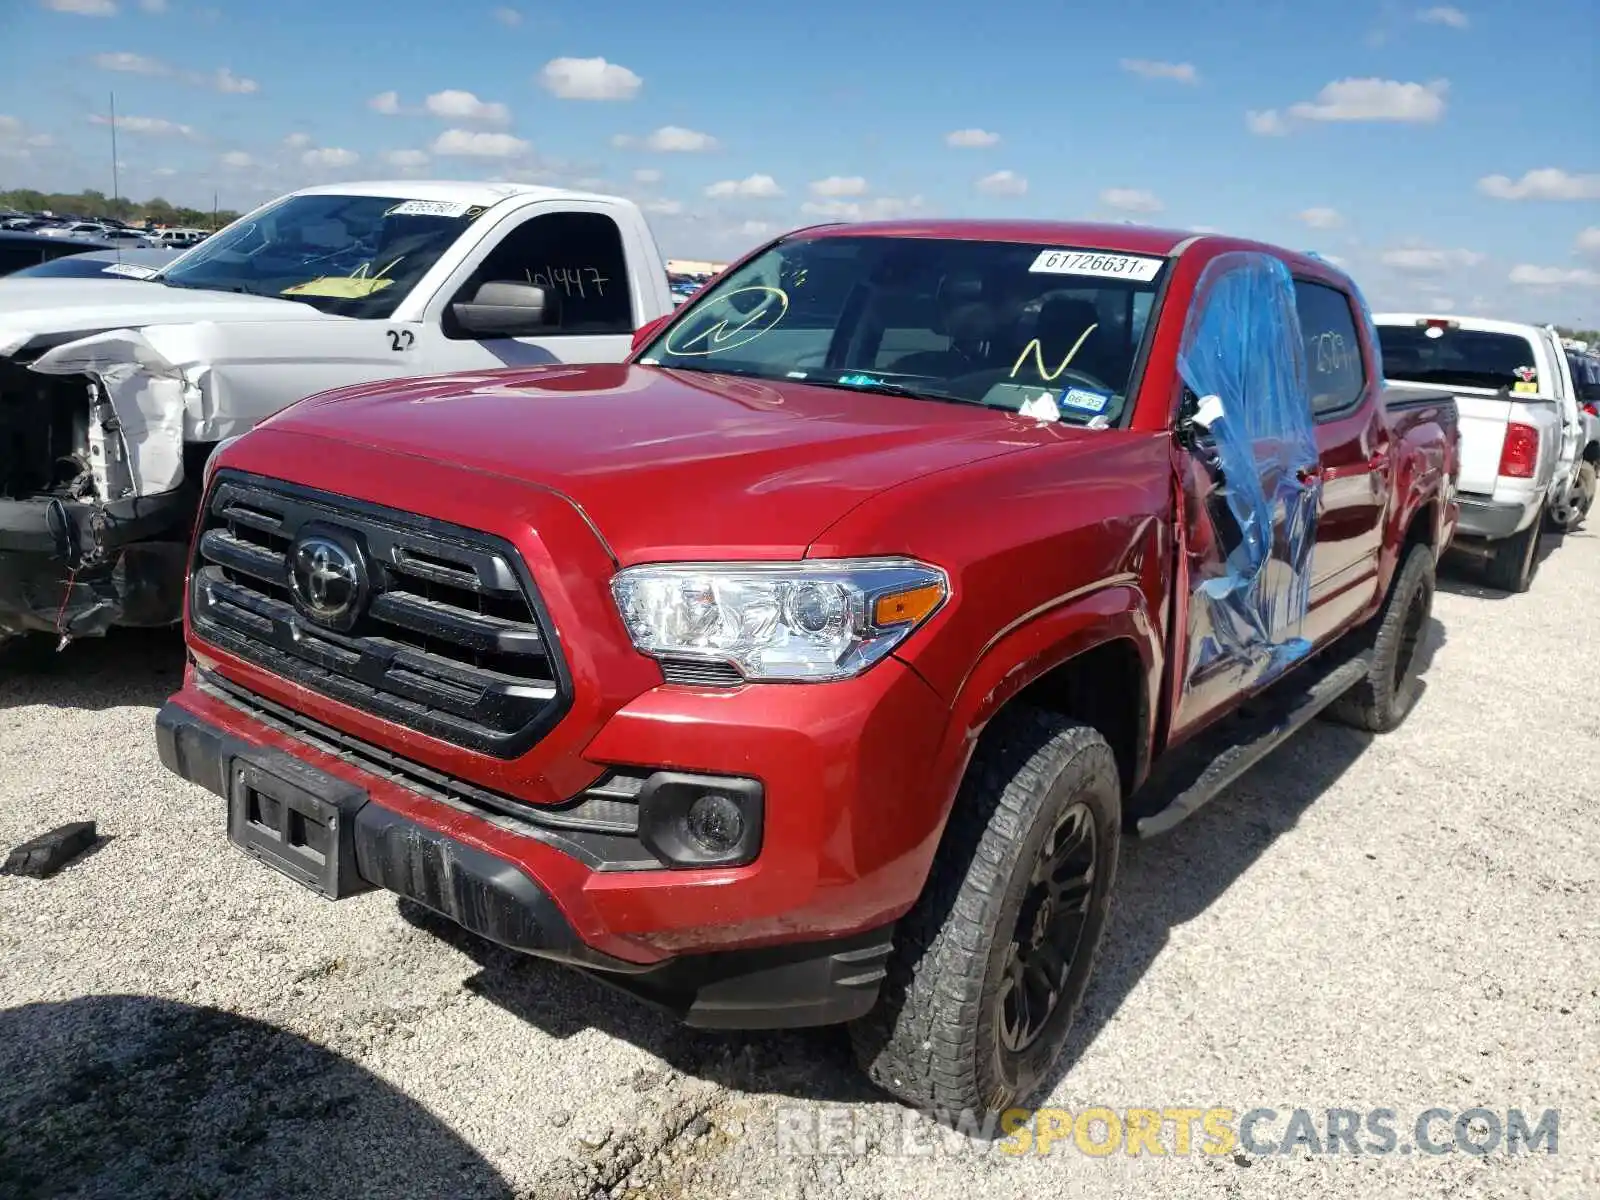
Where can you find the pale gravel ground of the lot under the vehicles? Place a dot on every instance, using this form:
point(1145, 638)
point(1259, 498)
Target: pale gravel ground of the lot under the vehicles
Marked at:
point(1407, 922)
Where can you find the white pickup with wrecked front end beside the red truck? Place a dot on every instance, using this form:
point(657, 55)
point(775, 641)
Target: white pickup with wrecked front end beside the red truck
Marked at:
point(114, 393)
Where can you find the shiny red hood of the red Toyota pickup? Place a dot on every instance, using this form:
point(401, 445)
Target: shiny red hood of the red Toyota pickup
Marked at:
point(674, 465)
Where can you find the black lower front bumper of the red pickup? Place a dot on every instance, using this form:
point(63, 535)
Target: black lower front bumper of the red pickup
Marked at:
point(770, 988)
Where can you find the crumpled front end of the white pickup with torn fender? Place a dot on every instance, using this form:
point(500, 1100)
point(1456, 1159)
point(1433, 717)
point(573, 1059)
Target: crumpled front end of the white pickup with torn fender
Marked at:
point(95, 486)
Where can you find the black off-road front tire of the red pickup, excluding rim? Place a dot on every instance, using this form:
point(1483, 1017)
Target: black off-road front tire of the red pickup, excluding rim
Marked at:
point(934, 1039)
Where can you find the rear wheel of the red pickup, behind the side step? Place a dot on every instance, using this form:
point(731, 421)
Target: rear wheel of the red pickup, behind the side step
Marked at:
point(1394, 638)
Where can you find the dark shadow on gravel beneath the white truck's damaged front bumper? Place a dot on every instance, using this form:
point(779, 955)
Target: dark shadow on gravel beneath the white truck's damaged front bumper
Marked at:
point(127, 666)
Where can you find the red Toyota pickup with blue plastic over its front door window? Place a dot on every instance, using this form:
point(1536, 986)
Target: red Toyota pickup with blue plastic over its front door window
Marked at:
point(810, 666)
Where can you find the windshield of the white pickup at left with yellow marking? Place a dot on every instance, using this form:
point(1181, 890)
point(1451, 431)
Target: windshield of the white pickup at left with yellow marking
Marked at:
point(350, 255)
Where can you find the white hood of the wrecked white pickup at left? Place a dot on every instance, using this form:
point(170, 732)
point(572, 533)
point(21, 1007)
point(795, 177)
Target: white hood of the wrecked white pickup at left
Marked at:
point(47, 308)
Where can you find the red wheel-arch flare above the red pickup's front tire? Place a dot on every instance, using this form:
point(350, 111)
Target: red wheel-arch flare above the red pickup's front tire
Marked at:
point(1034, 646)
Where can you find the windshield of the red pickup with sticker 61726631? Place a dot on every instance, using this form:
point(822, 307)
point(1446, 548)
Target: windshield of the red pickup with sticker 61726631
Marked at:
point(1020, 327)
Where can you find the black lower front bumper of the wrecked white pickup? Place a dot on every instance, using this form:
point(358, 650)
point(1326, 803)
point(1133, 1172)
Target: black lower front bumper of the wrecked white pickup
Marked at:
point(81, 569)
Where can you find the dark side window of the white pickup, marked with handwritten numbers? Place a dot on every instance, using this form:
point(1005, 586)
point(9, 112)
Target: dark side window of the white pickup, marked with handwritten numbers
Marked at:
point(578, 258)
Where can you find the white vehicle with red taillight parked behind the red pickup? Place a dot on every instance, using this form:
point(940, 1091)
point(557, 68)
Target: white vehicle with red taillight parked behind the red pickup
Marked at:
point(1522, 431)
